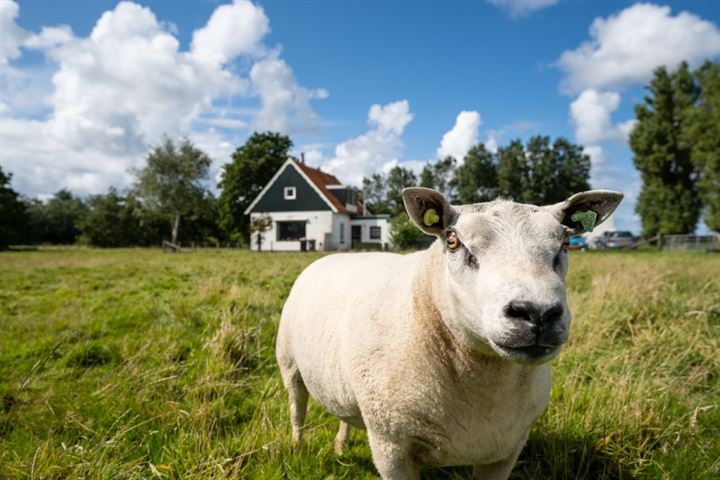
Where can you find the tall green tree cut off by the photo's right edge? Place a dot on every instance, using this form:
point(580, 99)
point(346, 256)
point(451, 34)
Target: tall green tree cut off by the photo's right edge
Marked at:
point(704, 136)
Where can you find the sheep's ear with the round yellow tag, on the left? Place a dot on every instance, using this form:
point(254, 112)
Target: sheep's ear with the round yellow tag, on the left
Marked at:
point(429, 209)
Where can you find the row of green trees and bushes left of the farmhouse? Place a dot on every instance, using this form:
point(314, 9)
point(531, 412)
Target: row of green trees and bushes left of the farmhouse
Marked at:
point(170, 199)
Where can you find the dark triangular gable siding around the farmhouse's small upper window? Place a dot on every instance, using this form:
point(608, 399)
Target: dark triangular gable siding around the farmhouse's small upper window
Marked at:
point(306, 197)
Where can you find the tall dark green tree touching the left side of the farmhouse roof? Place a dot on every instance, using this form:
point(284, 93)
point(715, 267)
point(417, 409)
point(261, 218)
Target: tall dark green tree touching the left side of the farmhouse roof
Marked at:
point(252, 167)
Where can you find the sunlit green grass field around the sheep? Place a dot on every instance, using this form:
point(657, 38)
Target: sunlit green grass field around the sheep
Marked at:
point(134, 364)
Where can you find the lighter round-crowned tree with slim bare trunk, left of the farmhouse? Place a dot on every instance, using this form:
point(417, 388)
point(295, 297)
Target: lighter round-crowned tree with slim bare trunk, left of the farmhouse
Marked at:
point(171, 182)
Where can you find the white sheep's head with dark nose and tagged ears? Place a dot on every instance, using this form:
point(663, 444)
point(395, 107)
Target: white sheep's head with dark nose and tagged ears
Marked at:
point(505, 266)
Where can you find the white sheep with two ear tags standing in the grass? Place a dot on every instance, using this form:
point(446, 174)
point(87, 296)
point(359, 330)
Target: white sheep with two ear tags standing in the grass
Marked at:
point(442, 355)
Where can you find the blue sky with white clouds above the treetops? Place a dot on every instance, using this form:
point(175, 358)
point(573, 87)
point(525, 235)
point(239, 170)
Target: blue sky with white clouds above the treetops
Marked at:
point(87, 86)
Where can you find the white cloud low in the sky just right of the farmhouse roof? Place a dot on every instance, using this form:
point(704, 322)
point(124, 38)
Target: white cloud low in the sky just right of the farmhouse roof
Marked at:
point(376, 150)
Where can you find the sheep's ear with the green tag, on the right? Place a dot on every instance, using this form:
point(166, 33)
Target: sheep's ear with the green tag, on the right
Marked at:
point(585, 210)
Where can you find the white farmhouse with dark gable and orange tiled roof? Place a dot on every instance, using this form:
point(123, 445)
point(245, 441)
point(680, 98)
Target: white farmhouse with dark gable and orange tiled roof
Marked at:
point(311, 210)
